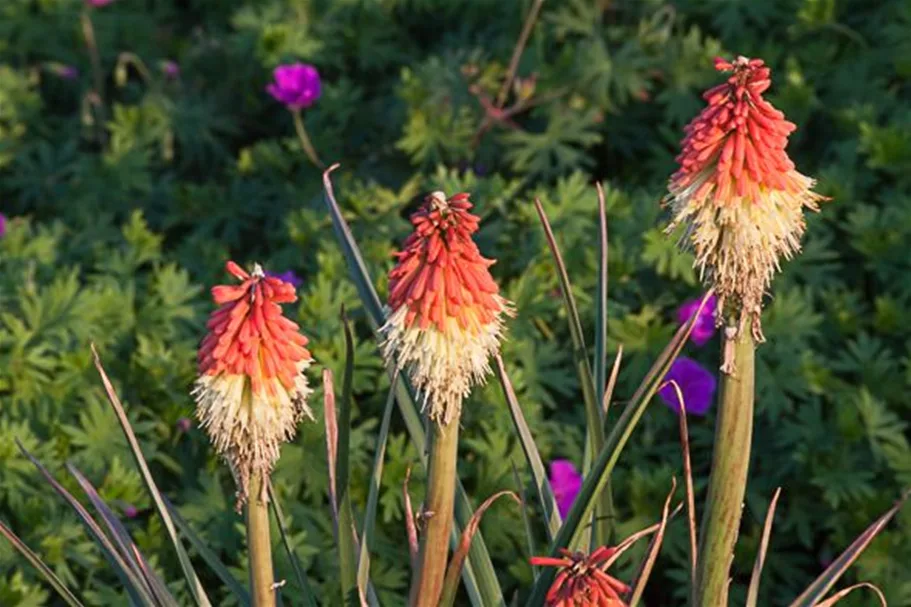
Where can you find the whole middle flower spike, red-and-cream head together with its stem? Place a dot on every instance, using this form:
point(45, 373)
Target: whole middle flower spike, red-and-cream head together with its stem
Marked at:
point(444, 322)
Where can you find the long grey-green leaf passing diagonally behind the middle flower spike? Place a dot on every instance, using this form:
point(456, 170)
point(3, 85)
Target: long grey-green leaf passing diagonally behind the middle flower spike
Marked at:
point(478, 574)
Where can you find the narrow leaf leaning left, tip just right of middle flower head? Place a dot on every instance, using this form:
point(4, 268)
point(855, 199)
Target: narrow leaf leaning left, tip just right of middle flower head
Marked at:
point(594, 417)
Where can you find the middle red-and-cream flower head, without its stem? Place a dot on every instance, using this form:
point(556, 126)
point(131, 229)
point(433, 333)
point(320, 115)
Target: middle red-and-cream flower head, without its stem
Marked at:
point(445, 314)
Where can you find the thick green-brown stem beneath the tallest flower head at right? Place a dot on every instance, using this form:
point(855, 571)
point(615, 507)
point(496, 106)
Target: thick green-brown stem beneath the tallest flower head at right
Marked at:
point(728, 478)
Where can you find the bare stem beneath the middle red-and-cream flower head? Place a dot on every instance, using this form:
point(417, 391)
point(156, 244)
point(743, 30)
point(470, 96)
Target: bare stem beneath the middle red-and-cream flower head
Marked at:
point(427, 580)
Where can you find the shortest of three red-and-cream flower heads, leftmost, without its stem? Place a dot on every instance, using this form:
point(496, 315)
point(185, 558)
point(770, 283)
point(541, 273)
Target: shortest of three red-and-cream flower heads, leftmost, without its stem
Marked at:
point(252, 391)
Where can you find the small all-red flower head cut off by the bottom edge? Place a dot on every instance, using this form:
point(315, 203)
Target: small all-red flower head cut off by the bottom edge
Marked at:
point(582, 580)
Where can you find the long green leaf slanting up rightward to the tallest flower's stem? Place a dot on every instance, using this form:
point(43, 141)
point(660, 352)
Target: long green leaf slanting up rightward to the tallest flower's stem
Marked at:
point(603, 466)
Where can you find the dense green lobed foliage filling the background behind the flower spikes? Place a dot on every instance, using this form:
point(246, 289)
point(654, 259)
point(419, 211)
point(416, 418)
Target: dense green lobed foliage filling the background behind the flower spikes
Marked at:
point(118, 243)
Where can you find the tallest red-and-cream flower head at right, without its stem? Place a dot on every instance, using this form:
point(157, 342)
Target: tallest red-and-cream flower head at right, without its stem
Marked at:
point(737, 192)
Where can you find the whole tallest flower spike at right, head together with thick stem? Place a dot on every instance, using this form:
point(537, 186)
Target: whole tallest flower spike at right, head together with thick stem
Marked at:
point(740, 201)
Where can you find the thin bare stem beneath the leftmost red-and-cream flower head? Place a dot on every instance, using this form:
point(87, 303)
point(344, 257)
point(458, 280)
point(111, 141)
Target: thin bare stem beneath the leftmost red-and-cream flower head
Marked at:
point(259, 545)
